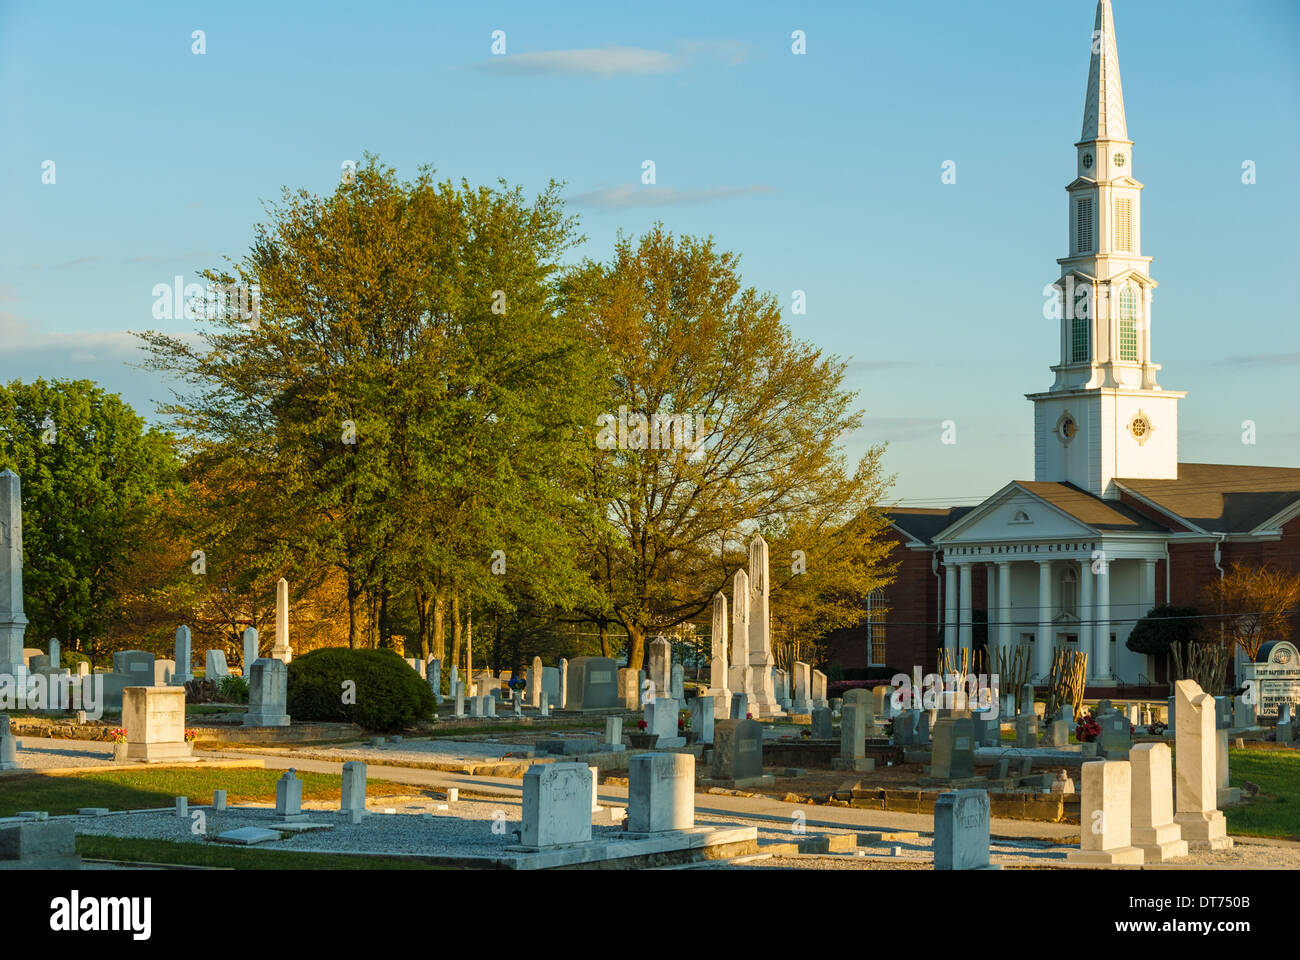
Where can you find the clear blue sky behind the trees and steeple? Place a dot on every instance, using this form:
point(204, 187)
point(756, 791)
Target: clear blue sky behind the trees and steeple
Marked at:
point(824, 171)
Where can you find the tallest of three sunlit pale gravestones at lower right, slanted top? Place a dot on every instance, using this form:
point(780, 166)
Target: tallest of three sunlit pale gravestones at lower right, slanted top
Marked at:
point(1198, 814)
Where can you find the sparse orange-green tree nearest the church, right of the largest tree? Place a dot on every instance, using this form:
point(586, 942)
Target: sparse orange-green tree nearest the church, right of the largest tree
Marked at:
point(718, 423)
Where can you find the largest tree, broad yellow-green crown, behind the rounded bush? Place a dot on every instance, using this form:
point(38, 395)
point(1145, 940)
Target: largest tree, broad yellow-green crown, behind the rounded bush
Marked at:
point(405, 400)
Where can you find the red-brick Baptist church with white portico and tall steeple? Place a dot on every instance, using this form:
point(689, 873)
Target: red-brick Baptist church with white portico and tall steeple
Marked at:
point(1112, 525)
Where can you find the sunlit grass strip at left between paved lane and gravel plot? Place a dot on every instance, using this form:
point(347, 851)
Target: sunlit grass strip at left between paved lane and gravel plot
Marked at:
point(135, 790)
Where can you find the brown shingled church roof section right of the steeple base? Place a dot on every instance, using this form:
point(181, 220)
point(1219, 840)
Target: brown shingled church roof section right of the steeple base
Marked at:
point(1223, 498)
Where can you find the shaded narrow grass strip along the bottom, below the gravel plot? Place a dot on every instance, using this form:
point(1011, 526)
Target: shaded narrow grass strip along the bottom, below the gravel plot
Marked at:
point(235, 858)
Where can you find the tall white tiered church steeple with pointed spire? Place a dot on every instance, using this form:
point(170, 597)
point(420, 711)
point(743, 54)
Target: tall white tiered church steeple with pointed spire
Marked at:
point(1106, 416)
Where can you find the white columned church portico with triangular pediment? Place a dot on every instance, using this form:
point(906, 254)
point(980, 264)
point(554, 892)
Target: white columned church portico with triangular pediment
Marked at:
point(1061, 569)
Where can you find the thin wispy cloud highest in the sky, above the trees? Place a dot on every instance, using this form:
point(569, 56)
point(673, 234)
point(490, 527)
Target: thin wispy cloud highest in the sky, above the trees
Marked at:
point(613, 62)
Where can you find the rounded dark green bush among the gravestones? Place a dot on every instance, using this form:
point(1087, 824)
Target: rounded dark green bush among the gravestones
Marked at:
point(389, 695)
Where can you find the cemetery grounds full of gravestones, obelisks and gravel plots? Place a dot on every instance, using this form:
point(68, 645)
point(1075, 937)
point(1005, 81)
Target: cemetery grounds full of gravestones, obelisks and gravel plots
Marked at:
point(926, 773)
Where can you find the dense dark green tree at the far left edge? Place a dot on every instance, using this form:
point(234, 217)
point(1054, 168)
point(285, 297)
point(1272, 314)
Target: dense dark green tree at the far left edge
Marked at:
point(92, 478)
